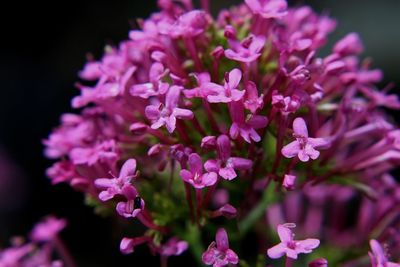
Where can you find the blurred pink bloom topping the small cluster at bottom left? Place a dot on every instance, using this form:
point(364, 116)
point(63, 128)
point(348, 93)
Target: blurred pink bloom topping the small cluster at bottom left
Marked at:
point(47, 229)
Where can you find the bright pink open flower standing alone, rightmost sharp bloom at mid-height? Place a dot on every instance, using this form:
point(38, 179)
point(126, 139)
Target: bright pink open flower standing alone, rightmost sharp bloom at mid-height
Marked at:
point(304, 146)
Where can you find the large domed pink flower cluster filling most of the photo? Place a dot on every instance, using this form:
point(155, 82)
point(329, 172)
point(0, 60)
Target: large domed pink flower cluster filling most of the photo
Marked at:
point(238, 116)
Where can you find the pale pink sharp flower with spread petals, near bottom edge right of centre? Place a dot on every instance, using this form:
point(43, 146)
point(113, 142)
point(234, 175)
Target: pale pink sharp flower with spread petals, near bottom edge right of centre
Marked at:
point(289, 246)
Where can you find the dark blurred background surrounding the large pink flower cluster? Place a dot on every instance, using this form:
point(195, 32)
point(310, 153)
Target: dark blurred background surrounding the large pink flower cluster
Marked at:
point(43, 45)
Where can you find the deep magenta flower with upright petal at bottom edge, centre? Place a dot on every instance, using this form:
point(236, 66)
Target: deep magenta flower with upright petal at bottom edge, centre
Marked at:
point(218, 253)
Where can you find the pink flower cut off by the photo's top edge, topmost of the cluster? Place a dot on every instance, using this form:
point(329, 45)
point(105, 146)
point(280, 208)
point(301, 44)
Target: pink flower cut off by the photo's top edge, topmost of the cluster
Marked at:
point(268, 8)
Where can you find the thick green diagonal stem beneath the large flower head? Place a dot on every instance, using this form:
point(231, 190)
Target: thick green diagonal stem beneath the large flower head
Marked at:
point(258, 211)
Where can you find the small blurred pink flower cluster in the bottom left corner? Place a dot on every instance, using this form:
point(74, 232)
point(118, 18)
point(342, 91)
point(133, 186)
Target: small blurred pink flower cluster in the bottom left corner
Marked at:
point(44, 241)
